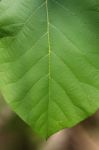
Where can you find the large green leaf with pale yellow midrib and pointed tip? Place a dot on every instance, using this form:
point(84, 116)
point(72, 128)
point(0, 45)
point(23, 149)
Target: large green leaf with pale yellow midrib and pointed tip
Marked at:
point(49, 61)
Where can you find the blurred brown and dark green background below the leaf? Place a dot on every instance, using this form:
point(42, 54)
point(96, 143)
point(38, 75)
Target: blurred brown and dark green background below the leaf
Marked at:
point(16, 135)
